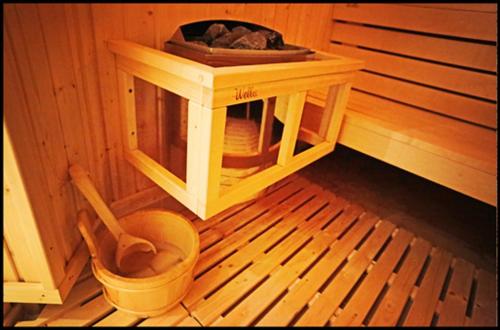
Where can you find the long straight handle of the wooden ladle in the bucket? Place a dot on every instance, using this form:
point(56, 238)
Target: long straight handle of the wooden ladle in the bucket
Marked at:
point(87, 188)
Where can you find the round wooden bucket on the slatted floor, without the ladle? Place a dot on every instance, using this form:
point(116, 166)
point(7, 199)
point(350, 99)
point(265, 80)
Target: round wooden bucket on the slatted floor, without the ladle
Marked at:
point(163, 285)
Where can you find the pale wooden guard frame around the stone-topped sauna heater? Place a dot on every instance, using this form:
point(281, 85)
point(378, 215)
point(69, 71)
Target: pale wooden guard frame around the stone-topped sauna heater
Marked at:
point(209, 91)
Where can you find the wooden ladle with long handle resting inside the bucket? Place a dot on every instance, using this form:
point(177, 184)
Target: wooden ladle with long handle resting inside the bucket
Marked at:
point(128, 245)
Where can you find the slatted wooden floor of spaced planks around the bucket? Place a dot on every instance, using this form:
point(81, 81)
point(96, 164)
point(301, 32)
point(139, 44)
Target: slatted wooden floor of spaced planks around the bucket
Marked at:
point(300, 255)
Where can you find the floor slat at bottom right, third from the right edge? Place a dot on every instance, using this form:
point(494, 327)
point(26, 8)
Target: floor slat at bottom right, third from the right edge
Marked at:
point(426, 299)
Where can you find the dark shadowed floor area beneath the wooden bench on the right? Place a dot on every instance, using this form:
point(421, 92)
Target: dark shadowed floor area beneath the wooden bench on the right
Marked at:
point(451, 220)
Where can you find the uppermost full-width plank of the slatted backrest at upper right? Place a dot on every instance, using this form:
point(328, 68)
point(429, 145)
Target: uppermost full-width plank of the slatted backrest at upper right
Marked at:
point(473, 25)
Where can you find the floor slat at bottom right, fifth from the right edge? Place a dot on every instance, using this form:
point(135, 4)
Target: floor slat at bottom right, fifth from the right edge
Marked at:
point(359, 305)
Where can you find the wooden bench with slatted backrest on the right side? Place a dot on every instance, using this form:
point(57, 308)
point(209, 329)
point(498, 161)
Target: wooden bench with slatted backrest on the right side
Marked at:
point(426, 100)
